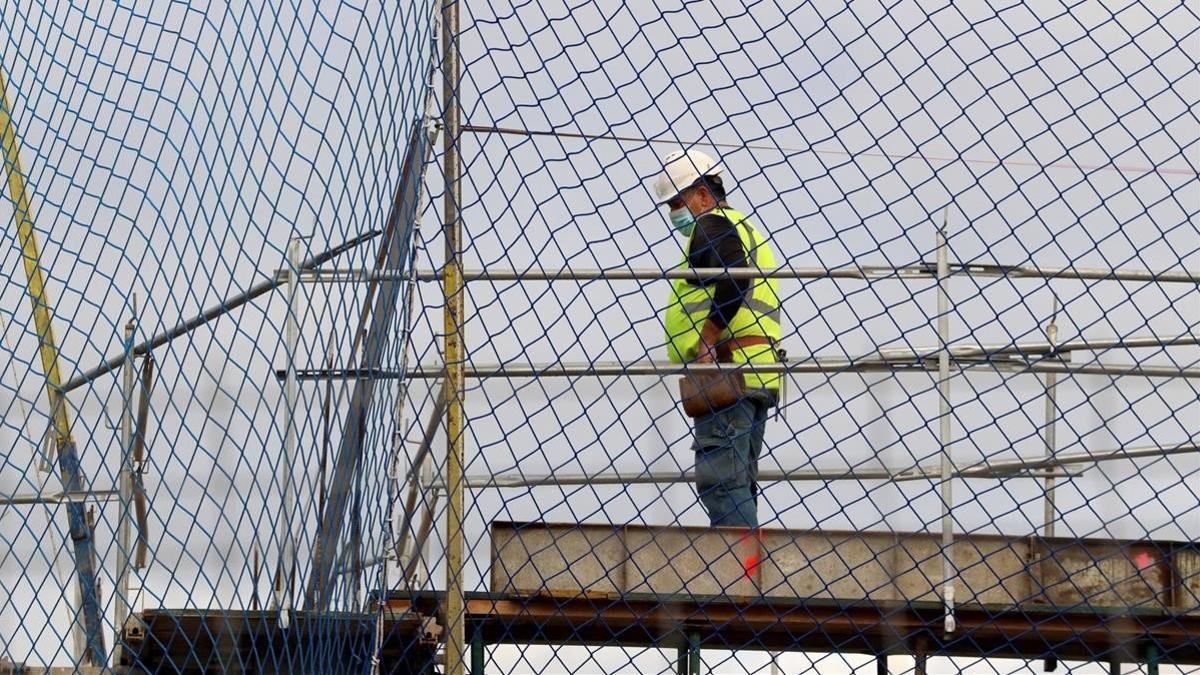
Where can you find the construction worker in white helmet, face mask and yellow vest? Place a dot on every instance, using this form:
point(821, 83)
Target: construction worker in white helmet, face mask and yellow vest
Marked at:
point(722, 320)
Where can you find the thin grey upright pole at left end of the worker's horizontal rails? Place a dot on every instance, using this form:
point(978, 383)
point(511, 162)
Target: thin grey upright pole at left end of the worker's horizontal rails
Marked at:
point(292, 338)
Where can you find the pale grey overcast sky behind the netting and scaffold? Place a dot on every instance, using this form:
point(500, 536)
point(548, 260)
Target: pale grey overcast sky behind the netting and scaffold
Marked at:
point(250, 126)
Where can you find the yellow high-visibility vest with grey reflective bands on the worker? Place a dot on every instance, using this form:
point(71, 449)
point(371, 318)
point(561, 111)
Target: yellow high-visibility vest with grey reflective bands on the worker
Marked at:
point(691, 304)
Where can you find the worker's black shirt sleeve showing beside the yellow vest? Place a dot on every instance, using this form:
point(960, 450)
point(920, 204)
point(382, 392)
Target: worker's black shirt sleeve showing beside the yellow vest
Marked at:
point(716, 243)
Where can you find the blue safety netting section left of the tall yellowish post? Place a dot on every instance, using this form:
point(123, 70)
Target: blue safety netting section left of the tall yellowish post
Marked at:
point(171, 152)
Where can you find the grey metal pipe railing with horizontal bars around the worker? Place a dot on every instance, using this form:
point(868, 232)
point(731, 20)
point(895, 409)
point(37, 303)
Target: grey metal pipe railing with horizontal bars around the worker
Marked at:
point(1049, 359)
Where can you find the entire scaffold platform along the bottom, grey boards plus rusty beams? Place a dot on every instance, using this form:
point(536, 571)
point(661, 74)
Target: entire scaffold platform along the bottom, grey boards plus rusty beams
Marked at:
point(812, 590)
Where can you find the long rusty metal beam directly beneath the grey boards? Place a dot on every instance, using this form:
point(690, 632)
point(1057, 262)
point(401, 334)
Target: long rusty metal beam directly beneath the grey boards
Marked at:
point(819, 626)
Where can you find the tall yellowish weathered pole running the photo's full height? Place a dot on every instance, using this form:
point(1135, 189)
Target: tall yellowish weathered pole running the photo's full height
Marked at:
point(455, 606)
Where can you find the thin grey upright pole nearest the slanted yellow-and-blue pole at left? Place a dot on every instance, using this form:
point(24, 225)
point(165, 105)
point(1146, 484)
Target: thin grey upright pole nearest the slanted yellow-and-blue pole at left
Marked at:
point(125, 489)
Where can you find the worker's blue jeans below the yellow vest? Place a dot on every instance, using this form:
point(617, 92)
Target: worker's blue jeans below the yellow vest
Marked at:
point(728, 446)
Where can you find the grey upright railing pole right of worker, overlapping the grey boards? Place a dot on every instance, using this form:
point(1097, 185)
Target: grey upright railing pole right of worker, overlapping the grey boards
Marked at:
point(944, 385)
